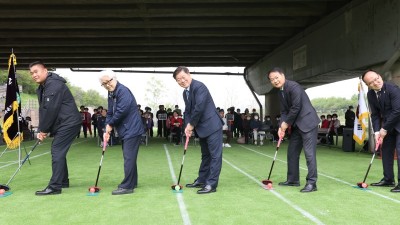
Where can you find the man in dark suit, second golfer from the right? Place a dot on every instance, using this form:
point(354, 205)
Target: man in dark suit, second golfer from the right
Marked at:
point(297, 112)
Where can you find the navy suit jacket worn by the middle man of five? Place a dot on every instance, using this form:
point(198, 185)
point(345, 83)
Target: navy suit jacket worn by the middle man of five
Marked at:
point(200, 110)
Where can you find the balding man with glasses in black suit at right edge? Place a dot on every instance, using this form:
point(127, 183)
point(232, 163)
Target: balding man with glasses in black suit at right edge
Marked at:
point(384, 103)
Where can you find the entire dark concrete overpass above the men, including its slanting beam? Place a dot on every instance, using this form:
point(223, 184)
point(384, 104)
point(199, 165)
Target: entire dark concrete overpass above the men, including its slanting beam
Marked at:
point(314, 41)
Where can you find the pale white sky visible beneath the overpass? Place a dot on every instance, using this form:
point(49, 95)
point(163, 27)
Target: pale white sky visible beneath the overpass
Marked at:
point(226, 90)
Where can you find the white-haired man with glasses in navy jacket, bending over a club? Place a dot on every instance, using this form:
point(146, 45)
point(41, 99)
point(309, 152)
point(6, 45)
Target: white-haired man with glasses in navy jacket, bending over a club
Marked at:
point(125, 119)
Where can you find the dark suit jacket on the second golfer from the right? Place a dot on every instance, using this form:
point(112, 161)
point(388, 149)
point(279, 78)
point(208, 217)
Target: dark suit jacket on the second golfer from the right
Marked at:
point(296, 108)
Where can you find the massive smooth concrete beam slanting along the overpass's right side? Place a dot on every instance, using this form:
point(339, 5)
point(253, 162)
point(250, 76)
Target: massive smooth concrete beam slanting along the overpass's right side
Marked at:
point(361, 35)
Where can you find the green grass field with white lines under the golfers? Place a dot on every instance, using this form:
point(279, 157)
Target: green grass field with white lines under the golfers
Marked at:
point(240, 198)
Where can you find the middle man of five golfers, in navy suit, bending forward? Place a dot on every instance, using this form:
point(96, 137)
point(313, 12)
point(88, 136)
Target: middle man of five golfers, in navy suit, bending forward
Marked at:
point(201, 115)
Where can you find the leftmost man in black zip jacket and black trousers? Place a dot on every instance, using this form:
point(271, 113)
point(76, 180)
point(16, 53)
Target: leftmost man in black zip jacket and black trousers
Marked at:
point(58, 115)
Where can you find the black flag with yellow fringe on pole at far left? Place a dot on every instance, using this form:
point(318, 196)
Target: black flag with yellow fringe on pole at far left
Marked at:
point(12, 111)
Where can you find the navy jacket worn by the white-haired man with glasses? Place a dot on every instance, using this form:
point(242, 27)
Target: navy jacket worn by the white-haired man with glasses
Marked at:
point(122, 113)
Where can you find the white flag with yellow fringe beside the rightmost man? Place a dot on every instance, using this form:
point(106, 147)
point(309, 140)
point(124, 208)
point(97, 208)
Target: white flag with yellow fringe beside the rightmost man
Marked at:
point(361, 120)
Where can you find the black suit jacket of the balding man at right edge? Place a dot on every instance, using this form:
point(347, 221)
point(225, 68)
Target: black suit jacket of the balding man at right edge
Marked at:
point(387, 109)
